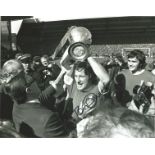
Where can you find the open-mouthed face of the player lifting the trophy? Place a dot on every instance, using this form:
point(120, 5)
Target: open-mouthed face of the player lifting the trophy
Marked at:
point(81, 79)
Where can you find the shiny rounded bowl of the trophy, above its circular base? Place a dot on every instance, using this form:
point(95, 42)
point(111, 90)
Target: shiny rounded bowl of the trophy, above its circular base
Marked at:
point(80, 34)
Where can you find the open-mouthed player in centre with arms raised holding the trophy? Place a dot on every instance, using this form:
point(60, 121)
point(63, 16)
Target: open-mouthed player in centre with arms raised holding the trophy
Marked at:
point(90, 80)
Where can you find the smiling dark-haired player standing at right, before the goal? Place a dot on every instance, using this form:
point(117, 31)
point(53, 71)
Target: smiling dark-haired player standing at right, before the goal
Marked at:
point(128, 80)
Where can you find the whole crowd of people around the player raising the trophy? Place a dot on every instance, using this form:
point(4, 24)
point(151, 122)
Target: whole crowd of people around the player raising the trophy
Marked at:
point(79, 97)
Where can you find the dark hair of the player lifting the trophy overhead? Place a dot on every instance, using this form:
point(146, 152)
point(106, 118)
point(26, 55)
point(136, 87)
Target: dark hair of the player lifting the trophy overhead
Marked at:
point(87, 69)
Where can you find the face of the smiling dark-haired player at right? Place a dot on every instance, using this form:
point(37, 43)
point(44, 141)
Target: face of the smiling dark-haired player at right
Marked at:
point(133, 64)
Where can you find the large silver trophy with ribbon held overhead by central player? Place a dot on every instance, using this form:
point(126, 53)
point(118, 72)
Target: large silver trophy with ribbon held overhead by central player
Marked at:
point(78, 39)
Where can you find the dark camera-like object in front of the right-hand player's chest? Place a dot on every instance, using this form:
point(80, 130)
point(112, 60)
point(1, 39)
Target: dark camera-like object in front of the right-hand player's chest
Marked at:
point(142, 96)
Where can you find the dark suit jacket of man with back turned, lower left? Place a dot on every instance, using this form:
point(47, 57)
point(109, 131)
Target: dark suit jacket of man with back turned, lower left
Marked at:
point(32, 119)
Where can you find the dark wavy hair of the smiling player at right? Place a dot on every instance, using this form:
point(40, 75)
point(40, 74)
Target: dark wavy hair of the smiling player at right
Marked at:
point(139, 55)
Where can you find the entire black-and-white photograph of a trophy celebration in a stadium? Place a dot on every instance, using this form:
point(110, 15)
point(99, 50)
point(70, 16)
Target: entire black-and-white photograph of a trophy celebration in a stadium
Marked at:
point(77, 77)
